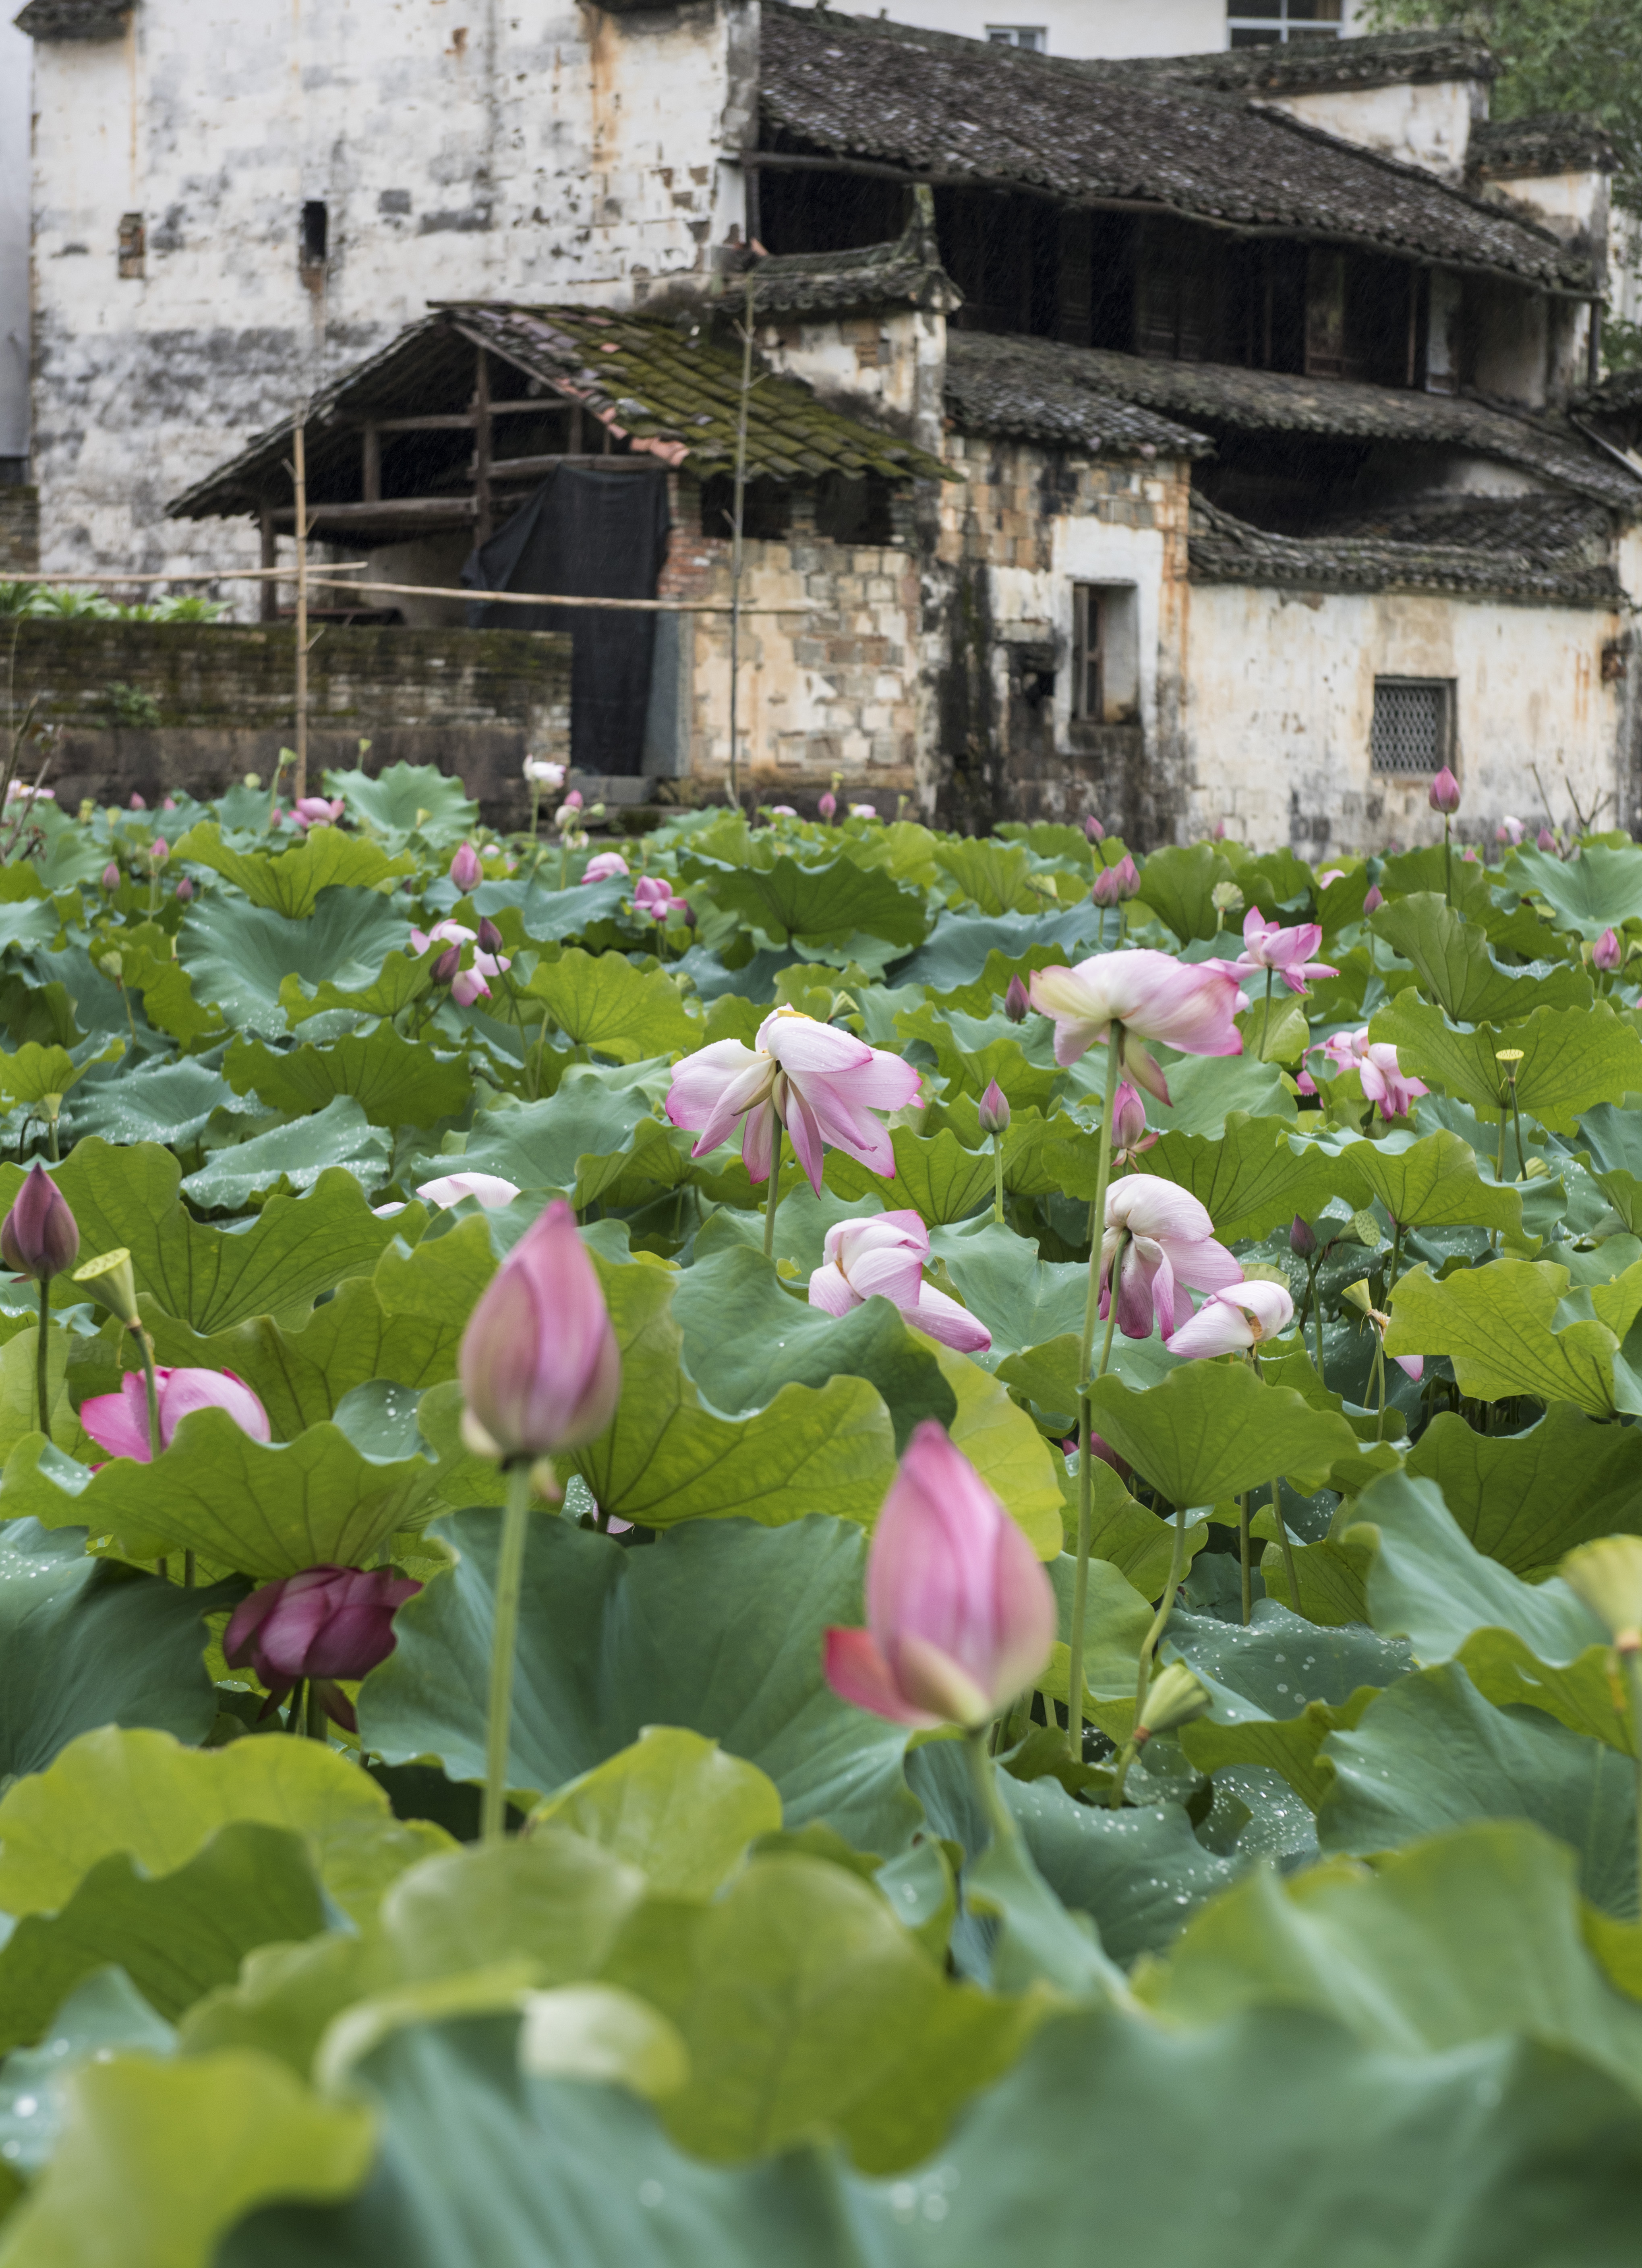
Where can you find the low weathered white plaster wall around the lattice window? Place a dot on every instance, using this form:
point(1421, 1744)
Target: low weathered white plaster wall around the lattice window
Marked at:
point(1280, 697)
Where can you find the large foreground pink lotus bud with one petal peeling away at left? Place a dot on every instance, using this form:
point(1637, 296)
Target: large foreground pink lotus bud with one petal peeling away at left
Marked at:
point(960, 1616)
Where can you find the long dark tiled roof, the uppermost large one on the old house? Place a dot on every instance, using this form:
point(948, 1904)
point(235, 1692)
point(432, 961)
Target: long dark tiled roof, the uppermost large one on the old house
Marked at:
point(970, 112)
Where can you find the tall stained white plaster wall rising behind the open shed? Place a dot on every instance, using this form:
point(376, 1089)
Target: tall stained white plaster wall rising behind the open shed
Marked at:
point(462, 149)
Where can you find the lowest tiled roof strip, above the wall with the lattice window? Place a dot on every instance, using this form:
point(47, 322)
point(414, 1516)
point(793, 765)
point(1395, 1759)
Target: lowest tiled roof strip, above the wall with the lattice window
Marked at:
point(1482, 548)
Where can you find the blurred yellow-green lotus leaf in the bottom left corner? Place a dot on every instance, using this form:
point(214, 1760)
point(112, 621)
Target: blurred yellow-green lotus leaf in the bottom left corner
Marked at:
point(160, 2160)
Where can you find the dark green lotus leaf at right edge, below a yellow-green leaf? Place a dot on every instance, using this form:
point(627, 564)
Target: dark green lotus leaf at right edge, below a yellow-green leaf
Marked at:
point(1530, 1498)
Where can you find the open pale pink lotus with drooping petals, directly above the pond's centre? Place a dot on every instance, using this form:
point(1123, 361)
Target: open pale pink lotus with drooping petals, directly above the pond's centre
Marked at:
point(820, 1083)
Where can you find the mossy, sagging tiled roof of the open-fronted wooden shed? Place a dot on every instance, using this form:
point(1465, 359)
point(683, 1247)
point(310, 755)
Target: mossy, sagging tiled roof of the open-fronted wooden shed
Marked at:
point(670, 389)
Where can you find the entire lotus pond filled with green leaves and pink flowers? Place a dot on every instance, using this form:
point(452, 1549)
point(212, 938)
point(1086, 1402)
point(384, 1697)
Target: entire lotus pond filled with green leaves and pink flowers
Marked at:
point(620, 1648)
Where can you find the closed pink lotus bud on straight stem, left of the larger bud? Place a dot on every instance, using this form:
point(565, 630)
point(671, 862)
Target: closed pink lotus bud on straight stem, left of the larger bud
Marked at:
point(541, 1364)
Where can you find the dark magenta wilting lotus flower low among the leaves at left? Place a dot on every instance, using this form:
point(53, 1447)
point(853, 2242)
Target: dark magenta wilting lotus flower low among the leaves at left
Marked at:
point(323, 1625)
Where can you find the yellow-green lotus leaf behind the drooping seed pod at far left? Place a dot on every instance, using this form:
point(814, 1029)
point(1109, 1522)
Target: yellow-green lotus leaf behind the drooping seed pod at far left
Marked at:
point(212, 1278)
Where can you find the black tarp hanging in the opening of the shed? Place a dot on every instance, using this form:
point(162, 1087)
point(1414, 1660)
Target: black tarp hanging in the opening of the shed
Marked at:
point(595, 536)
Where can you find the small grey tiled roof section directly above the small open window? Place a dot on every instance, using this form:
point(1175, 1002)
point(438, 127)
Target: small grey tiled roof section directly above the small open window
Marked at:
point(1040, 391)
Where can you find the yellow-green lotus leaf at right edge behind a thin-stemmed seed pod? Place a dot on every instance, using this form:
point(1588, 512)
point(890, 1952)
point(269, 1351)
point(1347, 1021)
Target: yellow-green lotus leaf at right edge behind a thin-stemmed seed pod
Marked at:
point(1571, 1058)
